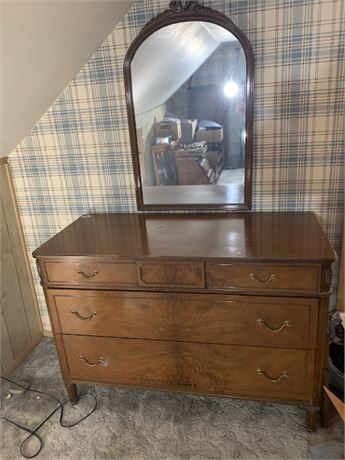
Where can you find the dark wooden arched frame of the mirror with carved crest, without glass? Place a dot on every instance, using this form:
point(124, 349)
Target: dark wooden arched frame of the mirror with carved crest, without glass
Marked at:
point(182, 11)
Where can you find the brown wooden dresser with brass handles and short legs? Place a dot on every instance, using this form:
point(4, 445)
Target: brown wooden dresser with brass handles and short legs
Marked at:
point(223, 304)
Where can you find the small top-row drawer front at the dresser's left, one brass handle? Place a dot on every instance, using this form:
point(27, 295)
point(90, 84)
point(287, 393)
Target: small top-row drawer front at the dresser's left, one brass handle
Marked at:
point(91, 273)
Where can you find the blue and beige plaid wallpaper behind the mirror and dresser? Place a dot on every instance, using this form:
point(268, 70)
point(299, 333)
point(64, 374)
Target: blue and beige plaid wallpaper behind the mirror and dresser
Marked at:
point(77, 158)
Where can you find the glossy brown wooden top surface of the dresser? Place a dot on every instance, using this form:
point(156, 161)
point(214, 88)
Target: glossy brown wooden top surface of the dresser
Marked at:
point(276, 236)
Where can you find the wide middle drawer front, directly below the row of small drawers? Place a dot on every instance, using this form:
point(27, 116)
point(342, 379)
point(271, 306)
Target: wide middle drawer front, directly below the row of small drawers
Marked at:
point(239, 320)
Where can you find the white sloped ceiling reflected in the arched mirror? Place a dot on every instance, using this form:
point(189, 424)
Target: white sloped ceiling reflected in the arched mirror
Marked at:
point(167, 58)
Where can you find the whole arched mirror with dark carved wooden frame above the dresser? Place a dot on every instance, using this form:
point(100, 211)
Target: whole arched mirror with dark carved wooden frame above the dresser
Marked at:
point(189, 91)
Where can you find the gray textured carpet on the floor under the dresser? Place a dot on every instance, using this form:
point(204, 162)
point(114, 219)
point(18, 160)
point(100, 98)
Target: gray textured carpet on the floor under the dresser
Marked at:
point(140, 425)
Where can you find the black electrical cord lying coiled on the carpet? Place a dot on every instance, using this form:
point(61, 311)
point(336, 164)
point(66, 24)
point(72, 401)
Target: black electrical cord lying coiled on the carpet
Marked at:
point(34, 432)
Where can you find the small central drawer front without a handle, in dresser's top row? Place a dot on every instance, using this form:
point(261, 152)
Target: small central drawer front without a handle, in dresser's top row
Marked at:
point(172, 274)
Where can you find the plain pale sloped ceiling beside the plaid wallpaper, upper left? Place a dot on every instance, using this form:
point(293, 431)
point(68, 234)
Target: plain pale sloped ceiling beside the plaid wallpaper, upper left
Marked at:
point(44, 44)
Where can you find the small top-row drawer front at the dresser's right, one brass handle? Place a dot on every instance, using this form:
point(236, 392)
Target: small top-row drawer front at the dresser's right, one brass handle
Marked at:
point(262, 277)
